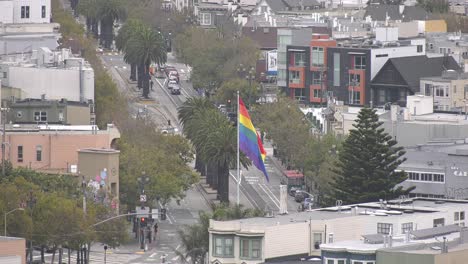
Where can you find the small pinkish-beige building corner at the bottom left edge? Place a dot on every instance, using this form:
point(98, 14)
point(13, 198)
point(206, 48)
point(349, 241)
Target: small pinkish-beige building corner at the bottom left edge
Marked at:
point(12, 250)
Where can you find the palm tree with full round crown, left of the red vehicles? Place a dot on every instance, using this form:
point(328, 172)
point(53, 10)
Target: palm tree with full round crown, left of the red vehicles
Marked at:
point(144, 47)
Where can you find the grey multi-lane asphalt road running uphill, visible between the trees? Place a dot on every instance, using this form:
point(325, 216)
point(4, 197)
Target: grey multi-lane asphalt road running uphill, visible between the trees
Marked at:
point(256, 192)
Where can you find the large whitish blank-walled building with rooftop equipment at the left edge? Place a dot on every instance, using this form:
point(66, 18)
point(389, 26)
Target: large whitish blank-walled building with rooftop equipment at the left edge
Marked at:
point(47, 75)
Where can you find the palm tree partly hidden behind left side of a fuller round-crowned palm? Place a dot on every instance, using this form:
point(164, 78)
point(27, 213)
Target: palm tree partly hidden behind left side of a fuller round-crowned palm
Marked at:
point(125, 33)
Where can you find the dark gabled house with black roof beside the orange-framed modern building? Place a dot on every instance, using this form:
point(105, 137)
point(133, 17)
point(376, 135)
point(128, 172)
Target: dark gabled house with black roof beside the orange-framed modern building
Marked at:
point(400, 77)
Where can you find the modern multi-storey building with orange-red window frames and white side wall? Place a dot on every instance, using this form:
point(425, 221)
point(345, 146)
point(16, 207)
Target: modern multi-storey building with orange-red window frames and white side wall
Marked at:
point(356, 62)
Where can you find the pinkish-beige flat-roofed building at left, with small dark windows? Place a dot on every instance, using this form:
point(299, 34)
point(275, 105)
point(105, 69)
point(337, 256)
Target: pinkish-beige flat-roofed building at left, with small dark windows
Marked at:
point(54, 148)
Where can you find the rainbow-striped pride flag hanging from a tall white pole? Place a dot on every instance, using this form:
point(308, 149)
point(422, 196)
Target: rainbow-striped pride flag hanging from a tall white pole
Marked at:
point(249, 140)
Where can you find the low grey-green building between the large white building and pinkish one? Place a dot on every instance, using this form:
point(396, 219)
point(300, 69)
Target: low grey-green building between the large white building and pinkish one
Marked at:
point(63, 112)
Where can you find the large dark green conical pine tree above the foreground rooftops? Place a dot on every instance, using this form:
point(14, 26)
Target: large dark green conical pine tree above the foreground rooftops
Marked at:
point(366, 165)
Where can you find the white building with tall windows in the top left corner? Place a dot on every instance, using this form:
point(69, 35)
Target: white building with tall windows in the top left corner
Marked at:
point(25, 11)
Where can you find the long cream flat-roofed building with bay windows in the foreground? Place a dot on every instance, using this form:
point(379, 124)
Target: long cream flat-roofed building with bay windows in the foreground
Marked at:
point(302, 234)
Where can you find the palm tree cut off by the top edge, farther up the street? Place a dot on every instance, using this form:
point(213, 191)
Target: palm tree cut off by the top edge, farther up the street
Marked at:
point(109, 11)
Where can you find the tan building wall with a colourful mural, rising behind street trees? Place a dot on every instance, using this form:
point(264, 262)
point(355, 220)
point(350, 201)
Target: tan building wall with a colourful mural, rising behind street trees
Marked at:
point(101, 166)
